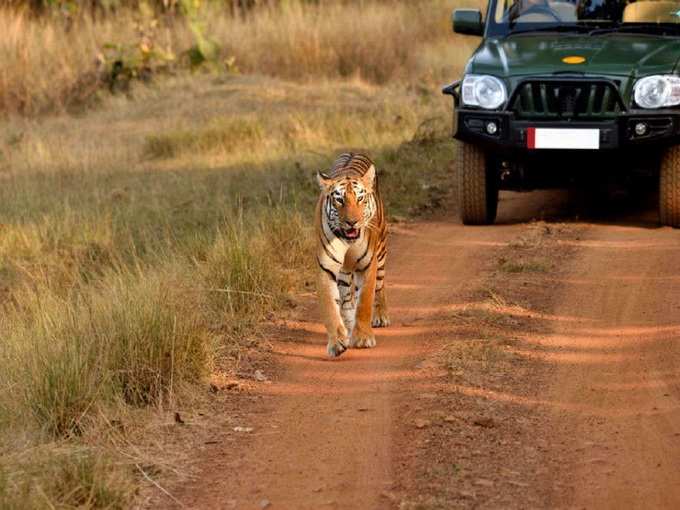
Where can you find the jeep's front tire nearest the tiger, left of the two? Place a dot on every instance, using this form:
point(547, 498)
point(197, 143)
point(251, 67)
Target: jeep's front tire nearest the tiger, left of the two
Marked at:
point(477, 186)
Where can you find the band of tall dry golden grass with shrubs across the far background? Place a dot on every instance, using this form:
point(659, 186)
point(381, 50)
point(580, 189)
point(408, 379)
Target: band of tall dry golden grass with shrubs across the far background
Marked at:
point(55, 63)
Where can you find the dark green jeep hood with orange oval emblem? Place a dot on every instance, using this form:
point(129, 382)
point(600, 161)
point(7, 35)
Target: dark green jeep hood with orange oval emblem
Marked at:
point(625, 55)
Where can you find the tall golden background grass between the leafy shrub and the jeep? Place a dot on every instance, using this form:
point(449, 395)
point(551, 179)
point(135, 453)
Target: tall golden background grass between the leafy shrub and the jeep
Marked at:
point(377, 41)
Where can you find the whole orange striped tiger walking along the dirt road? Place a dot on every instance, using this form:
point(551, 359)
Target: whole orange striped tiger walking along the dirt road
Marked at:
point(351, 235)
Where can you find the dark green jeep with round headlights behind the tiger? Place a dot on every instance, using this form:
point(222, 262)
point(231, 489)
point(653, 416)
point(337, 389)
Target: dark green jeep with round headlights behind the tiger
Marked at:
point(564, 90)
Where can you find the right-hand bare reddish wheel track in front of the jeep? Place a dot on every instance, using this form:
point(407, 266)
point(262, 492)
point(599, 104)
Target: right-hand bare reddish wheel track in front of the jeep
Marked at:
point(616, 387)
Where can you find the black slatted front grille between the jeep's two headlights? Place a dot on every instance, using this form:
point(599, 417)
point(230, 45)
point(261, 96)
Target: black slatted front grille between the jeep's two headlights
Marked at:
point(566, 99)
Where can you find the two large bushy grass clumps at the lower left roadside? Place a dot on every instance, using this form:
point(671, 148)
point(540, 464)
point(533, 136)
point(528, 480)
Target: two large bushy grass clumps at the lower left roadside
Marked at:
point(130, 338)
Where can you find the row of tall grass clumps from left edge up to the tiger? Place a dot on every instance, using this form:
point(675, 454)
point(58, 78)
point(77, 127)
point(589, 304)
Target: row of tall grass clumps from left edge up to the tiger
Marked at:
point(136, 334)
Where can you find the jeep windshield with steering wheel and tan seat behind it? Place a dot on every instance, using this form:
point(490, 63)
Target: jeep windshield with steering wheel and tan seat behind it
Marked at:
point(507, 17)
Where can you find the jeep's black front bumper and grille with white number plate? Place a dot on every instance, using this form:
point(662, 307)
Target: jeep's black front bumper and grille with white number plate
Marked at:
point(563, 113)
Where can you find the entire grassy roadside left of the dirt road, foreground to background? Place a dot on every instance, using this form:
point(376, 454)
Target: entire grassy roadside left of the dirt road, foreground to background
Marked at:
point(156, 206)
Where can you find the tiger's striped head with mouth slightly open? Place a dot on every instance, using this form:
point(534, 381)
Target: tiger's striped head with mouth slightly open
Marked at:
point(349, 203)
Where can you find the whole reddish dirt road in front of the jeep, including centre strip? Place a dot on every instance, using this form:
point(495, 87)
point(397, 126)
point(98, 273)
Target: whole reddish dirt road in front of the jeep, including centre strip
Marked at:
point(547, 383)
